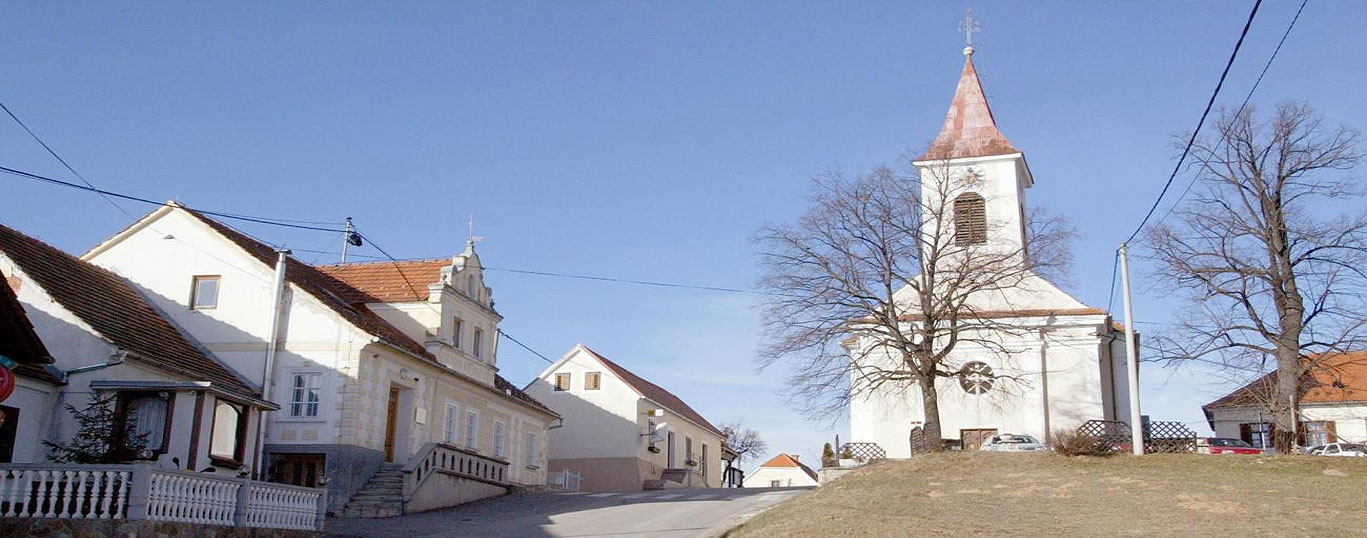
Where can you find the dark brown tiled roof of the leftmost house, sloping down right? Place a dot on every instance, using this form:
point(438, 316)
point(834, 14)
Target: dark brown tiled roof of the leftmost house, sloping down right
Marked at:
point(116, 311)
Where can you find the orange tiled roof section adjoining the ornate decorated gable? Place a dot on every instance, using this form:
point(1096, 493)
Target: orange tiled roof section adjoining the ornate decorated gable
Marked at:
point(388, 282)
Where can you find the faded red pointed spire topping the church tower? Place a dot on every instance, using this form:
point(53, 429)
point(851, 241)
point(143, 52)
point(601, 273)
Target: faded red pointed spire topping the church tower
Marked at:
point(970, 129)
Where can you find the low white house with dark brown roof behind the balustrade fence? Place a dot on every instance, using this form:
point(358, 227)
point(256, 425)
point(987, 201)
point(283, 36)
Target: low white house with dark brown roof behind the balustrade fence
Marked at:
point(102, 337)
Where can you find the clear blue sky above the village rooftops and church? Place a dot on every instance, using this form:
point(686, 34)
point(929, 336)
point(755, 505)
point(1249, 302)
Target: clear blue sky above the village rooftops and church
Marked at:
point(625, 140)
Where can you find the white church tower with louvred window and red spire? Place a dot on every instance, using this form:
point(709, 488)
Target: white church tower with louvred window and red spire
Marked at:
point(978, 170)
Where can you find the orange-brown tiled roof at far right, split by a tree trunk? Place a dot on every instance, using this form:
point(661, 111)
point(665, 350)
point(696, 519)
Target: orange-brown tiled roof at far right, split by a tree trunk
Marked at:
point(1338, 379)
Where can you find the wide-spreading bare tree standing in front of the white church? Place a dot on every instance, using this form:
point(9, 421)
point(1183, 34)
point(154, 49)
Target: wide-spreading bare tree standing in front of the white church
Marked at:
point(877, 285)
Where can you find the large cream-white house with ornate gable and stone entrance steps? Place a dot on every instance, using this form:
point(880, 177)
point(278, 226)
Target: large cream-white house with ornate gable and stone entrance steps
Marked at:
point(377, 367)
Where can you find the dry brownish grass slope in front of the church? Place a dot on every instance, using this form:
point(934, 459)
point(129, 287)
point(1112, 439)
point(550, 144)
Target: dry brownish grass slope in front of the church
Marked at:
point(1045, 495)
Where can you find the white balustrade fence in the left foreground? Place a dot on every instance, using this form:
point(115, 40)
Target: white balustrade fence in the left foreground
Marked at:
point(143, 492)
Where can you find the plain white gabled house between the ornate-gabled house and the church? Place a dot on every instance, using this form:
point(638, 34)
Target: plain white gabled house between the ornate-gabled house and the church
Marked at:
point(623, 432)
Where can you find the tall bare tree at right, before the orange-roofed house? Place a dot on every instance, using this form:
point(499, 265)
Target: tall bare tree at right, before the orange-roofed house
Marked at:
point(1272, 266)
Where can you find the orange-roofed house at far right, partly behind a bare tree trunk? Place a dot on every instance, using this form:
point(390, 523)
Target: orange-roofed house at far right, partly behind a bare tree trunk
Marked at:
point(1334, 406)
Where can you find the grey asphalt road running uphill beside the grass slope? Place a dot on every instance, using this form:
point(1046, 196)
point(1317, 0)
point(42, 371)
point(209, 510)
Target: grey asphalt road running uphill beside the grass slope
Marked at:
point(668, 514)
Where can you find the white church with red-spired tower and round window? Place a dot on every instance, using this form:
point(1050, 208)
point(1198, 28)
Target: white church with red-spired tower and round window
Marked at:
point(1060, 365)
